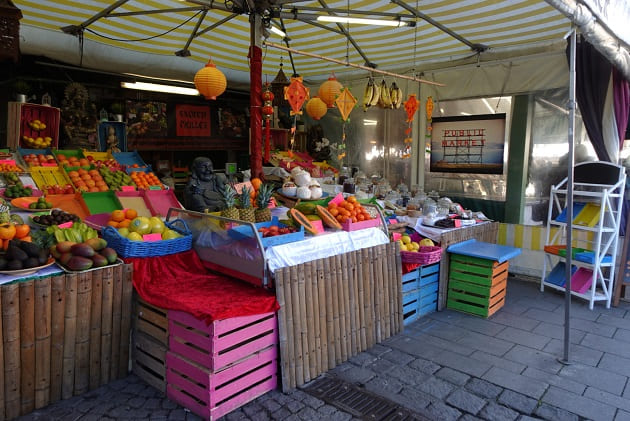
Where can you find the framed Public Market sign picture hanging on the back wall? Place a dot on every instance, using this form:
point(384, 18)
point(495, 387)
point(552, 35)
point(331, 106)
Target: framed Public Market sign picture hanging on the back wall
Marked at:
point(468, 144)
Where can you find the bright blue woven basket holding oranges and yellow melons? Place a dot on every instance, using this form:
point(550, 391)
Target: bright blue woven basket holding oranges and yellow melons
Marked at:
point(127, 248)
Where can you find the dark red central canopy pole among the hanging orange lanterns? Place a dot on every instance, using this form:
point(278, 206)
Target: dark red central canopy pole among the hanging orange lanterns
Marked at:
point(255, 97)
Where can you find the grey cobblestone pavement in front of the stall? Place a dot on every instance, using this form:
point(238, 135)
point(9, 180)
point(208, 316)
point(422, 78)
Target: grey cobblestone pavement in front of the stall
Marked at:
point(445, 366)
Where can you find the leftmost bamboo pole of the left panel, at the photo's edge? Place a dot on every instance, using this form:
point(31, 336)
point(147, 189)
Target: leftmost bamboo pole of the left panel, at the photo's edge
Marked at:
point(11, 345)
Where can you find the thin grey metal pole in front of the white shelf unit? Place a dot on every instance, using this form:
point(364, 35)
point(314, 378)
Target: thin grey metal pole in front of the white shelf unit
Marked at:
point(569, 202)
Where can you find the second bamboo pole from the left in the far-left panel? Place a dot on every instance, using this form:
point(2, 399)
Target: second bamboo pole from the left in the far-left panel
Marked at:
point(27, 346)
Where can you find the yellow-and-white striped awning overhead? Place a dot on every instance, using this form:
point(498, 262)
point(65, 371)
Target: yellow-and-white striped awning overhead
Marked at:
point(440, 32)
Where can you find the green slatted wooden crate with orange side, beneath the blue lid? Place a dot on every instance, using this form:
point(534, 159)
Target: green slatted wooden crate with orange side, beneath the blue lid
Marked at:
point(476, 286)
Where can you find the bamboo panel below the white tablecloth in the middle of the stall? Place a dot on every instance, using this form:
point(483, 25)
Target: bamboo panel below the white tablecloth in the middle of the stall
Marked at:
point(335, 307)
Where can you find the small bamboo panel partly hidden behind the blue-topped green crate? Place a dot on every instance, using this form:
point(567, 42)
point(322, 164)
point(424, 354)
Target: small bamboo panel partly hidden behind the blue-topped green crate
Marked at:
point(487, 232)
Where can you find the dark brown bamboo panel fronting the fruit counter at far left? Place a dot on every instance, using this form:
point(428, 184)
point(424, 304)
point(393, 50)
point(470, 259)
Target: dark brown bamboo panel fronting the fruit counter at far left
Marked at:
point(62, 336)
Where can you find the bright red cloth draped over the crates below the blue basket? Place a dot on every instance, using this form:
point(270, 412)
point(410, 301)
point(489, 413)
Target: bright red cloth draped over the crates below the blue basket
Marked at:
point(181, 282)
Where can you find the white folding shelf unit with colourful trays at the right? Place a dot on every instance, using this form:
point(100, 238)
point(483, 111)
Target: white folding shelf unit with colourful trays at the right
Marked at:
point(595, 183)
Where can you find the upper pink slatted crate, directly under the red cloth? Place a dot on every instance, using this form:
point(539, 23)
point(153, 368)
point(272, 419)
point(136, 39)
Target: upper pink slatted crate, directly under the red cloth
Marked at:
point(223, 342)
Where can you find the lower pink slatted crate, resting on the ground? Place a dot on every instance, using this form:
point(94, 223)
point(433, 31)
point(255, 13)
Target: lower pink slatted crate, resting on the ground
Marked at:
point(212, 395)
